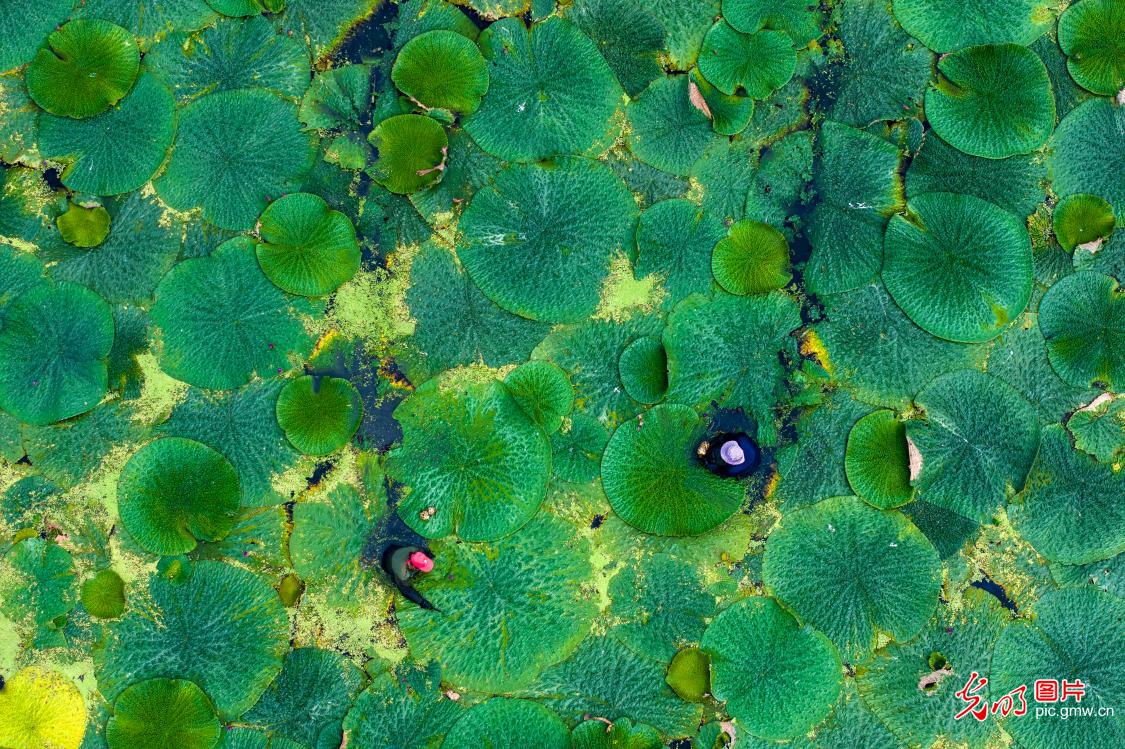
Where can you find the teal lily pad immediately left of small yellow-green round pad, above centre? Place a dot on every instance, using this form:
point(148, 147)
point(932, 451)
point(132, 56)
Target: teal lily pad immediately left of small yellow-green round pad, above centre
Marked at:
point(676, 240)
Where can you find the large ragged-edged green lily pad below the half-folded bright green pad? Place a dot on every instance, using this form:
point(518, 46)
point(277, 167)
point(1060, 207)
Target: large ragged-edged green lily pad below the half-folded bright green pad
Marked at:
point(884, 574)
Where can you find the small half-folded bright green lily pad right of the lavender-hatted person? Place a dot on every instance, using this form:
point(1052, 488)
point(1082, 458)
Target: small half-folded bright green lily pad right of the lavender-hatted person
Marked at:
point(877, 462)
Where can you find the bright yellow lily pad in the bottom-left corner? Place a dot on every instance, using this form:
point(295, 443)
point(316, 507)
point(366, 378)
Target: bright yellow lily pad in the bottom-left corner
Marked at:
point(41, 710)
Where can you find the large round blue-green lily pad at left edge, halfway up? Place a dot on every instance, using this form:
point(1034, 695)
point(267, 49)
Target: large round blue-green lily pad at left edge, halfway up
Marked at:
point(55, 342)
